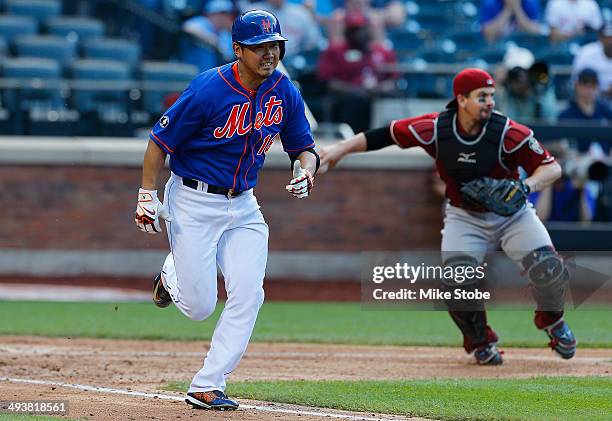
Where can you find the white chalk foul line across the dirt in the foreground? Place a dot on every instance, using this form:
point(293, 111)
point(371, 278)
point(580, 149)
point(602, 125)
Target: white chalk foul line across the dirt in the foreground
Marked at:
point(89, 388)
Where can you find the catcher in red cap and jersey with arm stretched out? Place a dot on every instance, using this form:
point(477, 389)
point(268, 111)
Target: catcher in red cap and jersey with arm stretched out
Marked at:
point(477, 152)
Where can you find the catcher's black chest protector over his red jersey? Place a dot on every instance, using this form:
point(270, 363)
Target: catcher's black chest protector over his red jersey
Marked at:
point(463, 160)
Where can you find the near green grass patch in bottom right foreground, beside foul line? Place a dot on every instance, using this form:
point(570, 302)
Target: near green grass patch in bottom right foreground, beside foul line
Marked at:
point(541, 398)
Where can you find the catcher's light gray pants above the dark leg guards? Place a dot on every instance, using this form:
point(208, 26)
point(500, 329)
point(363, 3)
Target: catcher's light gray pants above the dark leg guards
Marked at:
point(473, 234)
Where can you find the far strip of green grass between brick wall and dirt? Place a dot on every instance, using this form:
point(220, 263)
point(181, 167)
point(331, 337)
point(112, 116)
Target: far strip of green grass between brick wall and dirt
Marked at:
point(287, 322)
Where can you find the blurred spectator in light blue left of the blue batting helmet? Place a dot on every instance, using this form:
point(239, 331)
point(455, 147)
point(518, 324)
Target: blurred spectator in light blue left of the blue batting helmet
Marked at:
point(209, 36)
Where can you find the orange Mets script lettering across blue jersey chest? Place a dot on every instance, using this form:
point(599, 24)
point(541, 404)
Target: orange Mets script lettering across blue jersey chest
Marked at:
point(237, 121)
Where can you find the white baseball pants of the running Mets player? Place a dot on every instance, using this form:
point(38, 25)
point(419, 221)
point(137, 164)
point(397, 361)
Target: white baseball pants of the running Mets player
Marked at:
point(209, 230)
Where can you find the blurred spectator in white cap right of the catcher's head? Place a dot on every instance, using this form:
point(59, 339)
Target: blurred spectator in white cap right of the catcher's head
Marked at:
point(527, 93)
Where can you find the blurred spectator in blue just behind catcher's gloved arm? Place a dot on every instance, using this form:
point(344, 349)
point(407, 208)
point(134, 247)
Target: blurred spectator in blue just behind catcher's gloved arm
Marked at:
point(567, 199)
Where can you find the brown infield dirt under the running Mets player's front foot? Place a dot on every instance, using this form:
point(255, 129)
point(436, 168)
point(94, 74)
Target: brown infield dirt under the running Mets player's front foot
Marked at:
point(145, 366)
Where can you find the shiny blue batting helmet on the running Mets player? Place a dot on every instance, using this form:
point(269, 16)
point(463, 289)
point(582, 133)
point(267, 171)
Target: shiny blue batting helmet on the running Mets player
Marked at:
point(256, 27)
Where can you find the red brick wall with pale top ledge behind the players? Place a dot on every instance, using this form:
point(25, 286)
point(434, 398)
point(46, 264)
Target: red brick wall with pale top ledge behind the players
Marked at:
point(68, 208)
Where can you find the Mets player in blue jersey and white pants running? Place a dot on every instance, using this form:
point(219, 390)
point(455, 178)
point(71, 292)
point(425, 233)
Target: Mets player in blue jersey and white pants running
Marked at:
point(217, 134)
